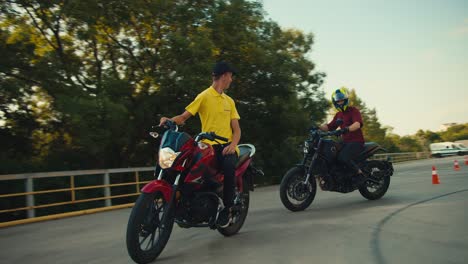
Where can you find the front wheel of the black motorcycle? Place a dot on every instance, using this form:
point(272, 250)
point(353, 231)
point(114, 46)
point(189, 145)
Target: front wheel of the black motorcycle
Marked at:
point(294, 193)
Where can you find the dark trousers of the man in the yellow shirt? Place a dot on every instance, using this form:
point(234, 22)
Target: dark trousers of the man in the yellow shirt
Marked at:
point(227, 164)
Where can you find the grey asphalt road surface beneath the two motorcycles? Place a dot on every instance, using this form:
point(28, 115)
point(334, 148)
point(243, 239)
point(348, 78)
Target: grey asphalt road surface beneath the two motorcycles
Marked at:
point(415, 222)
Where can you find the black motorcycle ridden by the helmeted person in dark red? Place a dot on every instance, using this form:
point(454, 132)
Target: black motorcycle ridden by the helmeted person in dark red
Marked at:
point(298, 186)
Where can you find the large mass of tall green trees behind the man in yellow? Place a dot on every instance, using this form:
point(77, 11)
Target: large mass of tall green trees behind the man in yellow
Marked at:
point(83, 81)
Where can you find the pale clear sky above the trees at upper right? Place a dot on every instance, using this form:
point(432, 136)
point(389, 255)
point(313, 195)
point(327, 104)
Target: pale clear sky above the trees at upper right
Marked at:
point(406, 59)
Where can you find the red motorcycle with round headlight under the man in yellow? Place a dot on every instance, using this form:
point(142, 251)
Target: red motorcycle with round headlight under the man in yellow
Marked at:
point(188, 191)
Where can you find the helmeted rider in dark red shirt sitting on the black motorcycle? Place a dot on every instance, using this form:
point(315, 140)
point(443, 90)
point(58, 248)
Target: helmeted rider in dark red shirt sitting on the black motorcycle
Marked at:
point(353, 140)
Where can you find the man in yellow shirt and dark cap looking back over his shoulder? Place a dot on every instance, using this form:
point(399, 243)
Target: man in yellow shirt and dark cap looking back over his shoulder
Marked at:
point(218, 114)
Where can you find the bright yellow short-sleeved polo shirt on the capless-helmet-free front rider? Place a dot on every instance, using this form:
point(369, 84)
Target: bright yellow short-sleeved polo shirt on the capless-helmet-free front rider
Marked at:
point(216, 112)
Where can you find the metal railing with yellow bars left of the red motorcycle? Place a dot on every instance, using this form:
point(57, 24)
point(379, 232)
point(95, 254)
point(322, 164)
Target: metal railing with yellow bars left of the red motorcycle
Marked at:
point(30, 193)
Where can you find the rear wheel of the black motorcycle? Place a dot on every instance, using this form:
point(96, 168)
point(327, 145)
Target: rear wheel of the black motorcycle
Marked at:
point(378, 182)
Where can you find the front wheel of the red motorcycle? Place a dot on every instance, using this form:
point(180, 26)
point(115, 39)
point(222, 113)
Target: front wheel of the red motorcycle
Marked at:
point(149, 227)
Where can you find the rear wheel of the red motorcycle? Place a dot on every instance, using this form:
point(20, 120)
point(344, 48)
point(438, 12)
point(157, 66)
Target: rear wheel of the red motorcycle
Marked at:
point(240, 215)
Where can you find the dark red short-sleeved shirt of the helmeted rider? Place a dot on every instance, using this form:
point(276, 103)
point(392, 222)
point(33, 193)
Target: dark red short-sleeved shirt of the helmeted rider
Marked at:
point(351, 115)
